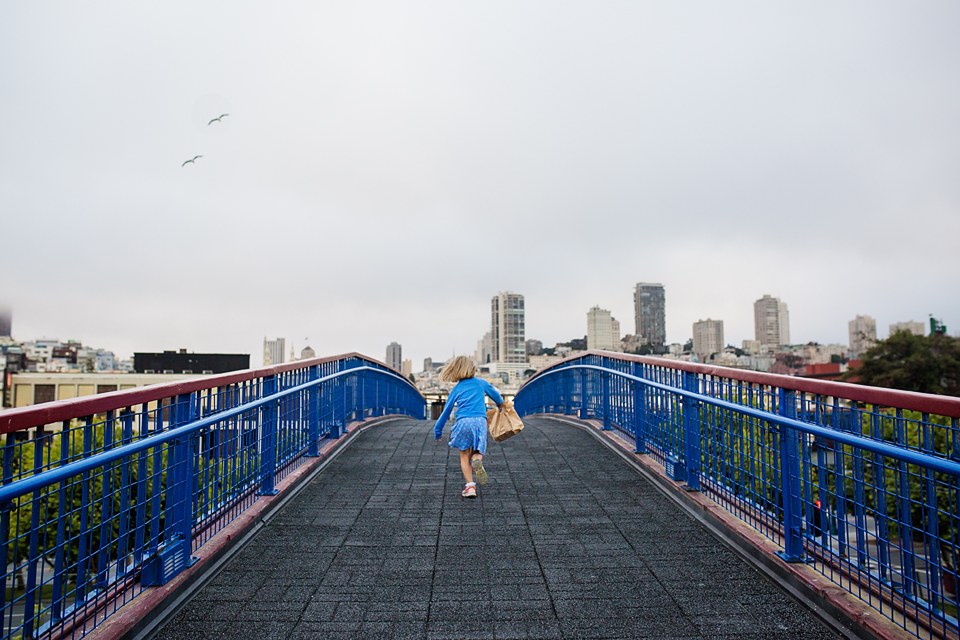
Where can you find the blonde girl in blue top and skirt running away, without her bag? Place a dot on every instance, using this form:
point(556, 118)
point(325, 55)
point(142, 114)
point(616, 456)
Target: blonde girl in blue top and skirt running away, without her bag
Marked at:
point(469, 433)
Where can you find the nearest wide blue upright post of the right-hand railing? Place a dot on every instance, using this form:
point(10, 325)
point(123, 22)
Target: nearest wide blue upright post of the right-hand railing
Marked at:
point(790, 481)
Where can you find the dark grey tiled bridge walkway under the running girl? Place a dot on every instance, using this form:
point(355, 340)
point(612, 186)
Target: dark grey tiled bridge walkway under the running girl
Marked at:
point(565, 541)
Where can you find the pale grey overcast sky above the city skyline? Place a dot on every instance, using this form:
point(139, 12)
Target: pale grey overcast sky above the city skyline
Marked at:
point(386, 168)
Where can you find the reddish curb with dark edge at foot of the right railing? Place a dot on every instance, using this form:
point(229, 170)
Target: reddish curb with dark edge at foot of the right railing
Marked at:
point(841, 611)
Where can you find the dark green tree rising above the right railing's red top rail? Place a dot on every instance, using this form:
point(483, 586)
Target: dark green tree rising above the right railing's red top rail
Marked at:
point(927, 364)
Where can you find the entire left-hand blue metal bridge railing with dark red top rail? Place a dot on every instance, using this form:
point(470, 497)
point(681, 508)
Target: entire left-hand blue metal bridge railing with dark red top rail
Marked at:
point(124, 487)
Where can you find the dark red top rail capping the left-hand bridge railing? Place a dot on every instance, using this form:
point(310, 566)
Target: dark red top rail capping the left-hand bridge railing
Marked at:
point(58, 411)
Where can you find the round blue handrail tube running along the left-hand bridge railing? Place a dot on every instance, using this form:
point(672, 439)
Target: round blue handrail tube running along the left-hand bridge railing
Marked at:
point(52, 476)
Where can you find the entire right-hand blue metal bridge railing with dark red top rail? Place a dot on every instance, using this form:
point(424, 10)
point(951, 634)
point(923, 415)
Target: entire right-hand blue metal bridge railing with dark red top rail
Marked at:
point(862, 483)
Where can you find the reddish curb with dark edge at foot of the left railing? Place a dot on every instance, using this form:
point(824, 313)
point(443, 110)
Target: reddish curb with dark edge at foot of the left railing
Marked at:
point(145, 615)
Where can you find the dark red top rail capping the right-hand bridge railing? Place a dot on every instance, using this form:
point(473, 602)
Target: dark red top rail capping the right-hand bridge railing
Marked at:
point(923, 402)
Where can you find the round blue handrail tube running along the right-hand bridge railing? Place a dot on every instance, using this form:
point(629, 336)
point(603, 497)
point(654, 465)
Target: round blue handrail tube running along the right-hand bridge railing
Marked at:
point(874, 446)
